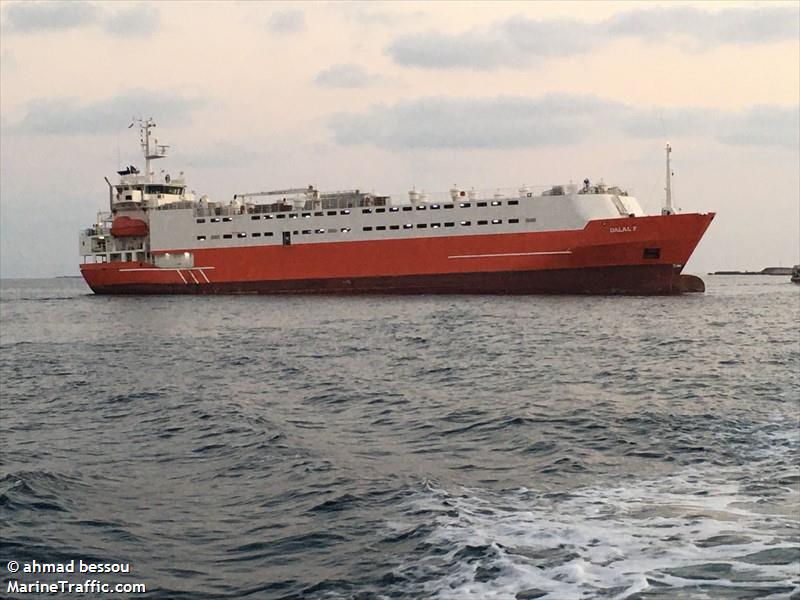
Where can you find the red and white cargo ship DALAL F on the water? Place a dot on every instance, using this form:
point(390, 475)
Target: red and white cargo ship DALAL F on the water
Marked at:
point(159, 238)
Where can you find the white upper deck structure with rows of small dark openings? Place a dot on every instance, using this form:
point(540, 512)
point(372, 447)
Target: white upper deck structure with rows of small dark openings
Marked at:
point(186, 225)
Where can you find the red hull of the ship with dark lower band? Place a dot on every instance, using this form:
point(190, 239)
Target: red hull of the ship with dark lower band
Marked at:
point(606, 257)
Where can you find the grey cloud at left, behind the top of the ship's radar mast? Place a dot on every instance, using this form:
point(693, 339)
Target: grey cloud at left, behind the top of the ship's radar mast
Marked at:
point(66, 116)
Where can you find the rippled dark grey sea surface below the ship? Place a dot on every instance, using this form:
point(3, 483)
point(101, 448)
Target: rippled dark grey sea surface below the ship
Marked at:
point(426, 447)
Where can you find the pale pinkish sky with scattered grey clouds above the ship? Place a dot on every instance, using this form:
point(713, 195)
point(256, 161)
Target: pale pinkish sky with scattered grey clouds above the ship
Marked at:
point(385, 96)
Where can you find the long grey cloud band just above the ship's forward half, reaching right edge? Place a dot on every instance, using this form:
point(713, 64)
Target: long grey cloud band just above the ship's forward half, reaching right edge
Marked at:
point(553, 120)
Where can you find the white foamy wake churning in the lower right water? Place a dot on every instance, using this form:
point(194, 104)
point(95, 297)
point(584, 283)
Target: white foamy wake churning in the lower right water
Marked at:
point(697, 534)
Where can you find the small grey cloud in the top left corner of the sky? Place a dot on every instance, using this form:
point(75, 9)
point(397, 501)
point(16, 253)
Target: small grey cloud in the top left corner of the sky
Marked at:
point(49, 16)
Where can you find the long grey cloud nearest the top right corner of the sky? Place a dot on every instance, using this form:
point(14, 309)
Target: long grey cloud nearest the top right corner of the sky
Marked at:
point(519, 41)
